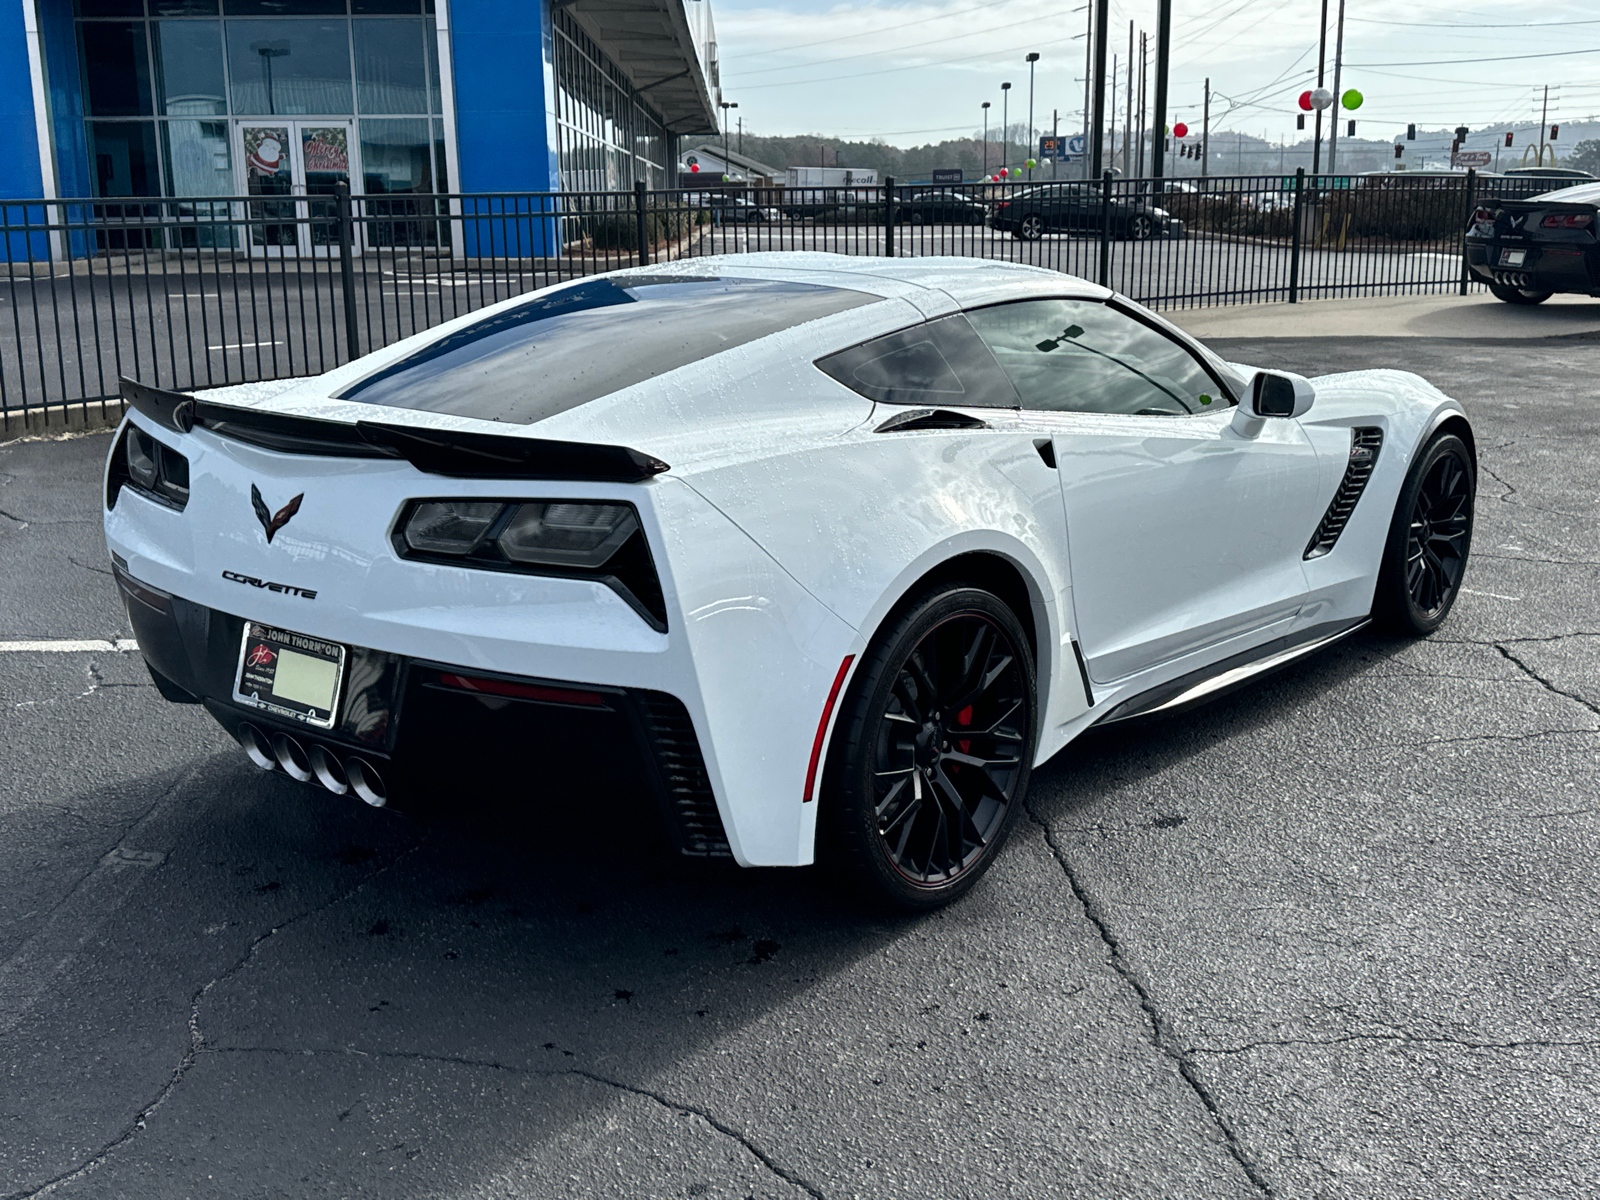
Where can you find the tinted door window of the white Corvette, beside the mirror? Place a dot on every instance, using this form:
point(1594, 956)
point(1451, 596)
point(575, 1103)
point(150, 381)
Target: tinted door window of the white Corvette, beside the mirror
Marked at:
point(1076, 356)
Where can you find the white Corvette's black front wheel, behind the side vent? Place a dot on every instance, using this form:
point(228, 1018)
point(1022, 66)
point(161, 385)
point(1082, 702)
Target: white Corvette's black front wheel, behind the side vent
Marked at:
point(1430, 542)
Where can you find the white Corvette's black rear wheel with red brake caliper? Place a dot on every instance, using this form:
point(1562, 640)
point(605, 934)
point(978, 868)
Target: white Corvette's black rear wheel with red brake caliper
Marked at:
point(916, 820)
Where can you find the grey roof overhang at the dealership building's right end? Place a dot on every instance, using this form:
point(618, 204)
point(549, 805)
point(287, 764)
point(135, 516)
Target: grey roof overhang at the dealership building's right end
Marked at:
point(670, 52)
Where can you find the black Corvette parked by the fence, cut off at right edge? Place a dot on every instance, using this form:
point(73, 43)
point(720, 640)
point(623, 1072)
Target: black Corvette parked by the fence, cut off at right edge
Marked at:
point(1529, 250)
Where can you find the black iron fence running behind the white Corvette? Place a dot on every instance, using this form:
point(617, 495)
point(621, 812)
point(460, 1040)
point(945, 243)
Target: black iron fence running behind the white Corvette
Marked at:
point(198, 294)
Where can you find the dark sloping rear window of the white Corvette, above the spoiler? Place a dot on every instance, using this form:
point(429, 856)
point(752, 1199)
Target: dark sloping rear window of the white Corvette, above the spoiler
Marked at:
point(578, 345)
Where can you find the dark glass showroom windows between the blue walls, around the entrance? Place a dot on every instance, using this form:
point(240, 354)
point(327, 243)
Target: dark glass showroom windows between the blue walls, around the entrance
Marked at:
point(172, 90)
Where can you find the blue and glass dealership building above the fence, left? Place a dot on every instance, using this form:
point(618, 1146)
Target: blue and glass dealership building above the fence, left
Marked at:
point(207, 98)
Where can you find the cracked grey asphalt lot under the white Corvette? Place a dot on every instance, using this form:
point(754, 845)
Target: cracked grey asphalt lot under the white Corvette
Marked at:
point(1332, 937)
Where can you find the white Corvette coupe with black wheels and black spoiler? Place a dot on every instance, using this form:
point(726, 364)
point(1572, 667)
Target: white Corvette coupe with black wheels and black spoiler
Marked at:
point(834, 550)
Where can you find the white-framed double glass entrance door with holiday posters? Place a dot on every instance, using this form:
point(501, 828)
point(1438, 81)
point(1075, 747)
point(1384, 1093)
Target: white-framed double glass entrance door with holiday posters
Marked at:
point(294, 167)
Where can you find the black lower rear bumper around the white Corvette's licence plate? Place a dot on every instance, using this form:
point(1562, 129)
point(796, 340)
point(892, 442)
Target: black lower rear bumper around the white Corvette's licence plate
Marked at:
point(423, 738)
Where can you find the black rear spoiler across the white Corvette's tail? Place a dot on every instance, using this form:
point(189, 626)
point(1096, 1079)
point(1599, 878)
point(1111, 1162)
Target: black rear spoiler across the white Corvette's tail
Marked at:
point(439, 452)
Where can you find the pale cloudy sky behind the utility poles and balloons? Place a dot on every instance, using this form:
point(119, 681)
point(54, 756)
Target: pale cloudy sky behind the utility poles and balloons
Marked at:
point(918, 71)
